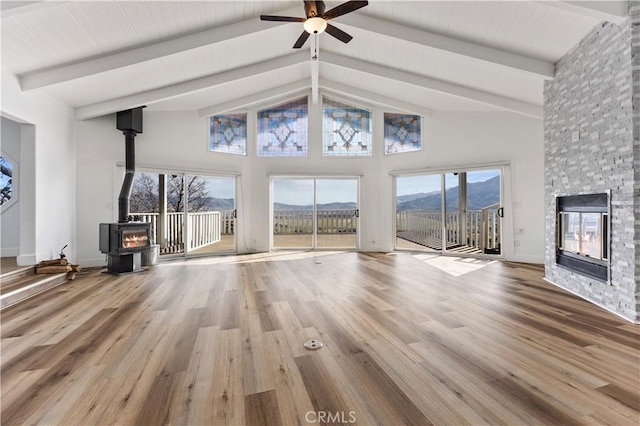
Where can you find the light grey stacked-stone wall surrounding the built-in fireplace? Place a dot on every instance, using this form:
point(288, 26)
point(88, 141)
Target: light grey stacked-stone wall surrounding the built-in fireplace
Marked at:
point(592, 93)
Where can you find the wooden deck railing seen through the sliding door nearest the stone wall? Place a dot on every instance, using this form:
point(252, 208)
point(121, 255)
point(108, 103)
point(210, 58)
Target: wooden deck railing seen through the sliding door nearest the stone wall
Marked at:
point(481, 227)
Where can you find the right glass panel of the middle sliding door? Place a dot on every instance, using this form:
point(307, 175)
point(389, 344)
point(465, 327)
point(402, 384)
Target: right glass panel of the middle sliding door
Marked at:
point(336, 213)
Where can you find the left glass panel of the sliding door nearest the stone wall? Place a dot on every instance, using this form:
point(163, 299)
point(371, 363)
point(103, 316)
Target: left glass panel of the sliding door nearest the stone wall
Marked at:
point(419, 222)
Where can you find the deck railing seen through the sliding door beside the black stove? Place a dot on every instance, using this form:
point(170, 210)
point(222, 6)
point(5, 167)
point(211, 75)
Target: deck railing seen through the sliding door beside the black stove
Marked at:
point(204, 228)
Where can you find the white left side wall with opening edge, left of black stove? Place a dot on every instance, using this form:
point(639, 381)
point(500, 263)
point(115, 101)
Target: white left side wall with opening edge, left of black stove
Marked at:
point(47, 171)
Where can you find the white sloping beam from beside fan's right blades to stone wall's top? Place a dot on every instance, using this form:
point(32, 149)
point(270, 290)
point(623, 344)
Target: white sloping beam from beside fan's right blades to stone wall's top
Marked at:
point(459, 47)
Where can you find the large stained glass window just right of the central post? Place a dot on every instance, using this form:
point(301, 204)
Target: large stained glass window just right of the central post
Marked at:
point(346, 129)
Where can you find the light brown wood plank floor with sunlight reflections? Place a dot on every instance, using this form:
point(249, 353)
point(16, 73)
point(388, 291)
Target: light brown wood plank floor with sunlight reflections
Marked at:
point(407, 340)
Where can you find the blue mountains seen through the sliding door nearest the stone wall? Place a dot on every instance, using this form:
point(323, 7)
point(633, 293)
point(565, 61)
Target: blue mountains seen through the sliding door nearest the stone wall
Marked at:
point(479, 195)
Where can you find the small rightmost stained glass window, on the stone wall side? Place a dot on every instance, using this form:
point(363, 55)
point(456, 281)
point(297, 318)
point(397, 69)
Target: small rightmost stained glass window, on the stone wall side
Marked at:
point(402, 133)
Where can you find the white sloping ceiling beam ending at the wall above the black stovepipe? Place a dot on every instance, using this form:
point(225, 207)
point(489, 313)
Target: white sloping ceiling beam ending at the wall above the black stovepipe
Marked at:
point(180, 89)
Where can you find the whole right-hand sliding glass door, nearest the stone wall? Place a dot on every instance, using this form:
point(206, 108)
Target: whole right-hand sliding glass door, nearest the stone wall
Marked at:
point(458, 212)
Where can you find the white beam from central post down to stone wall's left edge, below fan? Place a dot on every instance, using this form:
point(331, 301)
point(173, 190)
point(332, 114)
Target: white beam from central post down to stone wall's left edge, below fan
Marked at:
point(436, 85)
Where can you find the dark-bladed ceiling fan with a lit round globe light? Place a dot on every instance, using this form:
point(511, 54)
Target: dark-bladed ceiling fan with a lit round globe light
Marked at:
point(316, 20)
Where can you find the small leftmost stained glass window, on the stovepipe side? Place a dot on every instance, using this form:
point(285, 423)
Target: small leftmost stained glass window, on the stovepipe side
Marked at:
point(228, 133)
